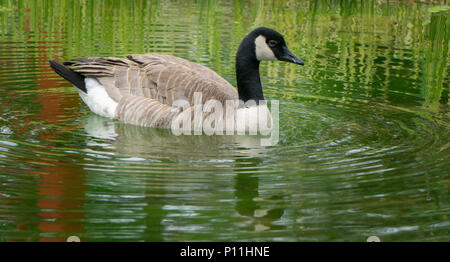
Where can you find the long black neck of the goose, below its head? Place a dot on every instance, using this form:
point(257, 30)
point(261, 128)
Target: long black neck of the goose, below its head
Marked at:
point(247, 71)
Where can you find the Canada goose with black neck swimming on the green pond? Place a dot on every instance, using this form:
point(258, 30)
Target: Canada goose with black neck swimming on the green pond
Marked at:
point(143, 89)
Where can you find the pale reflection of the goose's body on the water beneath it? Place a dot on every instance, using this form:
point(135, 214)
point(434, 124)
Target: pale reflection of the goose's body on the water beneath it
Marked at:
point(136, 141)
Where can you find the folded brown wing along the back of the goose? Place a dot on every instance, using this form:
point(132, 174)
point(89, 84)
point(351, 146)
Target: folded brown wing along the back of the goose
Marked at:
point(164, 78)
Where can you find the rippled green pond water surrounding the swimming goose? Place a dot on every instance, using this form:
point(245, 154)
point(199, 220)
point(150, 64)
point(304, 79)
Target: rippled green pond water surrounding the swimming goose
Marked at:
point(364, 126)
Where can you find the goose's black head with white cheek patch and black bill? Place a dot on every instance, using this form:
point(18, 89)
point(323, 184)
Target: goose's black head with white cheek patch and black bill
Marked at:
point(270, 45)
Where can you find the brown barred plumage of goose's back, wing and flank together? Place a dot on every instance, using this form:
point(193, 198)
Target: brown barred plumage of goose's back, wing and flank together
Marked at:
point(146, 85)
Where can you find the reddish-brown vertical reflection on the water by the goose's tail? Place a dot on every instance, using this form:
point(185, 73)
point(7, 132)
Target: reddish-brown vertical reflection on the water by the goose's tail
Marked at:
point(62, 186)
